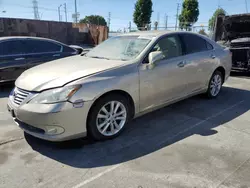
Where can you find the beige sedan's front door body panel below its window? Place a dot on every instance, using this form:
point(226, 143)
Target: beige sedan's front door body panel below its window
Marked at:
point(161, 83)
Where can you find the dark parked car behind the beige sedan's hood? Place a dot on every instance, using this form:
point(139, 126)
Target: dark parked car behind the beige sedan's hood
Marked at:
point(18, 54)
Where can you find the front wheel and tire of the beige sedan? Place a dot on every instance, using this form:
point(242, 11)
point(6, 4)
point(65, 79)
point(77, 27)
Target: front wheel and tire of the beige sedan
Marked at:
point(108, 117)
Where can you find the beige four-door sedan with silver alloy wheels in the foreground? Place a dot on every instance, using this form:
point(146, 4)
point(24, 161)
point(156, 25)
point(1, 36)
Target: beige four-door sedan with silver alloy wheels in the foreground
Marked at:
point(120, 79)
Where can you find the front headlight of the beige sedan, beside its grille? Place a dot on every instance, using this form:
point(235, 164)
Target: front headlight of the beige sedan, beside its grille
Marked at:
point(56, 95)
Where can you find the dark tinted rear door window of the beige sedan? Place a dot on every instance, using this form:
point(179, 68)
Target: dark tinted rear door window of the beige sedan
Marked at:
point(194, 43)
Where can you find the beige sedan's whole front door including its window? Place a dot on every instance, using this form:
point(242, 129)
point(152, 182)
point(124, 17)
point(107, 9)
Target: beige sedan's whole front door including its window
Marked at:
point(164, 79)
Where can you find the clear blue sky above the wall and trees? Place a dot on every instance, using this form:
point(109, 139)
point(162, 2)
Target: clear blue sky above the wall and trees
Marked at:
point(121, 10)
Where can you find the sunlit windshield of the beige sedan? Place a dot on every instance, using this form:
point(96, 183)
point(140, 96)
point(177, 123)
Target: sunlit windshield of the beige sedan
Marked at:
point(120, 48)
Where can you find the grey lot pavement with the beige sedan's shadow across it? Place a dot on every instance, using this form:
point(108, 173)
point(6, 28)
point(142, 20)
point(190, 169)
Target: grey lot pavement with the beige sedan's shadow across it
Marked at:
point(193, 143)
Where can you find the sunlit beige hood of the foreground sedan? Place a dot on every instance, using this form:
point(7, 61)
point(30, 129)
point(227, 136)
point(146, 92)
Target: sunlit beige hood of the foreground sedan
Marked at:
point(62, 71)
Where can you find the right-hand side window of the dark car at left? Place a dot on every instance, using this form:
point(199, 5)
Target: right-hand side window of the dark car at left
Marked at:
point(40, 46)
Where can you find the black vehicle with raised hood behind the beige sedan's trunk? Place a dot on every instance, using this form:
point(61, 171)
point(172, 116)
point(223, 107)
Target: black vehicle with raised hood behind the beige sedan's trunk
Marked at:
point(233, 32)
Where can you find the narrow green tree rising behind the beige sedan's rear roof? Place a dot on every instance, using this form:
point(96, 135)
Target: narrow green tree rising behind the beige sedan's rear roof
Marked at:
point(189, 15)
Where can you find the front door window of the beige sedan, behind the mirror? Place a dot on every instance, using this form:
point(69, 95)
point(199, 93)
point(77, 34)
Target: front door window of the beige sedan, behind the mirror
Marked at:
point(169, 46)
